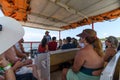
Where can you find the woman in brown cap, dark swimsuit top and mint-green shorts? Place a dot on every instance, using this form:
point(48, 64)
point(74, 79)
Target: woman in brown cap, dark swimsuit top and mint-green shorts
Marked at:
point(88, 60)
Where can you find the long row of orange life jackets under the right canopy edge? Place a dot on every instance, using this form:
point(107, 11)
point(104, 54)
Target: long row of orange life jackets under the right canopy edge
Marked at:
point(93, 19)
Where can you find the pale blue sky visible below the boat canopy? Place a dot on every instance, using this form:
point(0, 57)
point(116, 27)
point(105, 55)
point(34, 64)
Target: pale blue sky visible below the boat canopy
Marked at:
point(103, 29)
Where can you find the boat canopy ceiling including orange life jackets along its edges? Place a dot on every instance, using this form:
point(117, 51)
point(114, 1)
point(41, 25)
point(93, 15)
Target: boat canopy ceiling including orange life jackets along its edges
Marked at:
point(60, 14)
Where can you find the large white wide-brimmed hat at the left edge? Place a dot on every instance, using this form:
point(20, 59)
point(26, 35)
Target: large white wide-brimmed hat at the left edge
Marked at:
point(11, 32)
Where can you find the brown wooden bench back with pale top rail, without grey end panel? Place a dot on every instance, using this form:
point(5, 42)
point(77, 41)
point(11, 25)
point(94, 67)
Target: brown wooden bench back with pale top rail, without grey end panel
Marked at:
point(60, 56)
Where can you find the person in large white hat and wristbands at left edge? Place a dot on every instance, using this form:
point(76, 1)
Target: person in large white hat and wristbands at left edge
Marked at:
point(11, 32)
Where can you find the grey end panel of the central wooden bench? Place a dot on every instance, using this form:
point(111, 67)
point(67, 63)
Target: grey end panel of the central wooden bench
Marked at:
point(42, 61)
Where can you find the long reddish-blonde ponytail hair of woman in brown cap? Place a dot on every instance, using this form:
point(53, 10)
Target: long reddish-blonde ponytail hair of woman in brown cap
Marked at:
point(91, 38)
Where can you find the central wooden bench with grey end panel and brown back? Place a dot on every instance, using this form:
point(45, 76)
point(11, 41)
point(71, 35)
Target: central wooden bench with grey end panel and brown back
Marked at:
point(48, 62)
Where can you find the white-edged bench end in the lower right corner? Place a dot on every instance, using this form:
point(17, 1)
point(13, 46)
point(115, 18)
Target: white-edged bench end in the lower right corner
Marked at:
point(112, 70)
